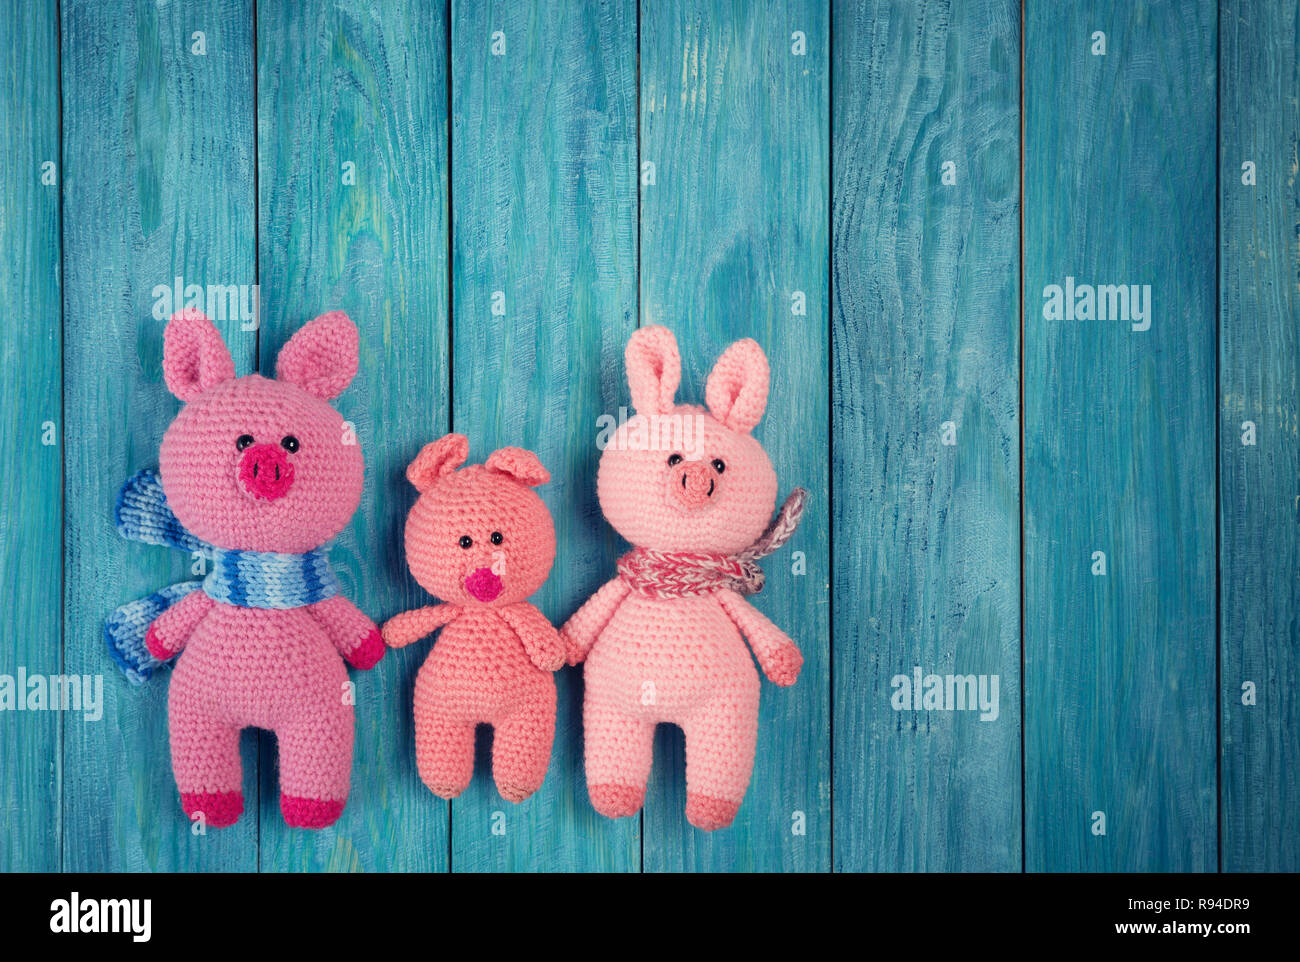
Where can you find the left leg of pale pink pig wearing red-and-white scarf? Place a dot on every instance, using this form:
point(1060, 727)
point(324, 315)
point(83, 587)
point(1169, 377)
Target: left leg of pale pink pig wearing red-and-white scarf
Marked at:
point(619, 751)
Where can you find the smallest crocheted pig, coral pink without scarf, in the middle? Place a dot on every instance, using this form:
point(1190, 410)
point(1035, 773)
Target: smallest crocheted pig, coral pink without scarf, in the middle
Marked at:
point(483, 541)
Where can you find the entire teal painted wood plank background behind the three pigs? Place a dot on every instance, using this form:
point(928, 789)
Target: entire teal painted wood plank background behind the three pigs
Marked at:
point(881, 193)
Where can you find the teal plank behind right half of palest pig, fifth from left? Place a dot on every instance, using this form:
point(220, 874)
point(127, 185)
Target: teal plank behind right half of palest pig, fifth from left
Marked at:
point(734, 244)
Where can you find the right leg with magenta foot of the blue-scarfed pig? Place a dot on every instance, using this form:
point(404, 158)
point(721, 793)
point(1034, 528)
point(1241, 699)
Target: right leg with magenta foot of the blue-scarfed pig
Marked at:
point(315, 766)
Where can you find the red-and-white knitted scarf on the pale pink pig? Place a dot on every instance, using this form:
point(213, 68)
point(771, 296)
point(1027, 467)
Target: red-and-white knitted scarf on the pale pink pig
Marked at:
point(681, 574)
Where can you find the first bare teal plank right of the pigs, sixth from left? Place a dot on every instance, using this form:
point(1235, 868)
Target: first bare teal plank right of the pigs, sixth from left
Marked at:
point(928, 530)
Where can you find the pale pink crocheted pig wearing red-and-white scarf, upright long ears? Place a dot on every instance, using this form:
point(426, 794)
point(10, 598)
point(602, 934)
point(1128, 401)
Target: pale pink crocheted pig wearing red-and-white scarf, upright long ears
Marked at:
point(694, 492)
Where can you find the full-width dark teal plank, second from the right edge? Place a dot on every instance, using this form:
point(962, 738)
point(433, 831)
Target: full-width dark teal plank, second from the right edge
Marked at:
point(1120, 703)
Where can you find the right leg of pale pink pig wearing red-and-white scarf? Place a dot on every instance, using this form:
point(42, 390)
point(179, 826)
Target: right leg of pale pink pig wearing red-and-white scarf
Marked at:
point(721, 742)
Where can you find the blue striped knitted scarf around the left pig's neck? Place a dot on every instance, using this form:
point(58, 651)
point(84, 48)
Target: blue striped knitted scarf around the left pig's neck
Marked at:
point(244, 579)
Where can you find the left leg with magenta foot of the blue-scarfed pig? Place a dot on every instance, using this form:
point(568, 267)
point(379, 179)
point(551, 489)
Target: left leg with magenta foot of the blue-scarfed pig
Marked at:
point(206, 761)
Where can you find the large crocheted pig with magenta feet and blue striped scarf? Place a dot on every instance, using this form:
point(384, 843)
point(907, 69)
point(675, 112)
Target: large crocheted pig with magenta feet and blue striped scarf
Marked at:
point(257, 475)
